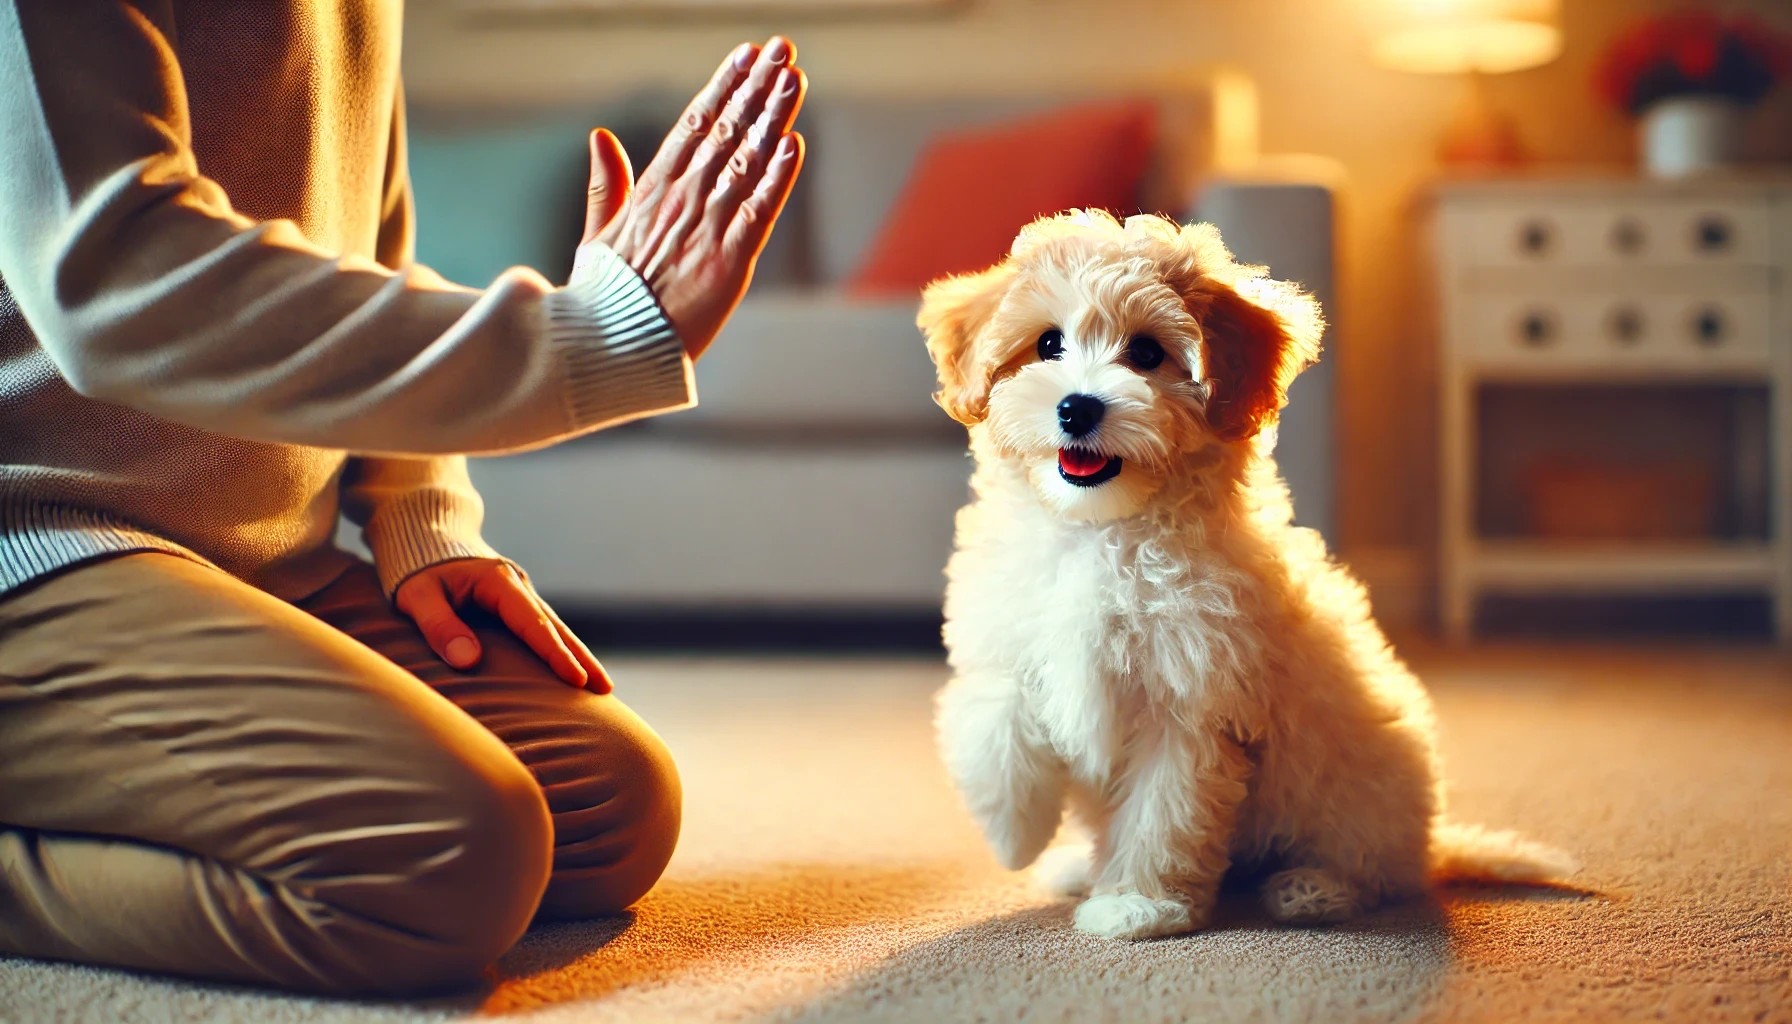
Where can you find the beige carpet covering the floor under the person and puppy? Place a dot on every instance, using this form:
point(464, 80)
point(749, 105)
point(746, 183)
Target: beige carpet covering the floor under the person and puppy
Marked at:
point(827, 874)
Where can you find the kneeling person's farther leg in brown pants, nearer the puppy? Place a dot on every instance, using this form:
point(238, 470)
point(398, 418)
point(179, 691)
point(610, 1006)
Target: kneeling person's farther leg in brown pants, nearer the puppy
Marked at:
point(608, 777)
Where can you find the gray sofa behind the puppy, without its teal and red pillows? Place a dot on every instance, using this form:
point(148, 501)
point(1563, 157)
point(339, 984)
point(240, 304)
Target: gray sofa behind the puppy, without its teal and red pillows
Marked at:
point(816, 474)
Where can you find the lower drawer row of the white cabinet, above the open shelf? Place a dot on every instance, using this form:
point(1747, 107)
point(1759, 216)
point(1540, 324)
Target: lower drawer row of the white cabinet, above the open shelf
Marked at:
point(1621, 333)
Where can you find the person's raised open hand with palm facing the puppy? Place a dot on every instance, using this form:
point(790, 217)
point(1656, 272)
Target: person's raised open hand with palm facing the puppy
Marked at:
point(696, 221)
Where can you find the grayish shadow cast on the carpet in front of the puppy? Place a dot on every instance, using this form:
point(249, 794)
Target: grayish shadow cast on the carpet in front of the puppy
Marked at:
point(1033, 966)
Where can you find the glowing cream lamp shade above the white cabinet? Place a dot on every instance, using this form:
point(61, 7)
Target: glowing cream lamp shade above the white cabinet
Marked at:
point(1456, 37)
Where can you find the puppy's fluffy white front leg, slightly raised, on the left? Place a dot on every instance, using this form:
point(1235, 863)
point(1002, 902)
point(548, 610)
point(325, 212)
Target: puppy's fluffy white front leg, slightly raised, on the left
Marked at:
point(1010, 779)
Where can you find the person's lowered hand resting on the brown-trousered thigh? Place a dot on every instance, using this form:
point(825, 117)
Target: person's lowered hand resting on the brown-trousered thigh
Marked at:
point(433, 596)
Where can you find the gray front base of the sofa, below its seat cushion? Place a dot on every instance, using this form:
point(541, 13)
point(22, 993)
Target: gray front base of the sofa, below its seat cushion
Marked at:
point(641, 519)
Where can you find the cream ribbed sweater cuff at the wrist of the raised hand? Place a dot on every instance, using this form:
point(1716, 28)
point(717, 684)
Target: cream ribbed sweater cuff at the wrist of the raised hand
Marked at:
point(623, 356)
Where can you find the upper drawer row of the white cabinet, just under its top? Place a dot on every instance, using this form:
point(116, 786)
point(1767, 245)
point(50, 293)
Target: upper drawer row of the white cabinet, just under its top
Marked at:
point(1580, 234)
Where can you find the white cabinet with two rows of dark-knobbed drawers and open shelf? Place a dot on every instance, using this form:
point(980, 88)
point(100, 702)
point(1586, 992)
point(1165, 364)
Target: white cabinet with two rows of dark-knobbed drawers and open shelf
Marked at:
point(1612, 282)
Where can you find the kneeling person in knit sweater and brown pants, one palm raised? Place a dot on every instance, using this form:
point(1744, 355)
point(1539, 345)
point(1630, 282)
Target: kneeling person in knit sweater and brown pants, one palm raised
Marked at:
point(230, 751)
